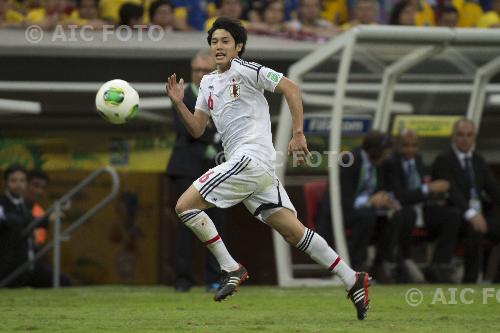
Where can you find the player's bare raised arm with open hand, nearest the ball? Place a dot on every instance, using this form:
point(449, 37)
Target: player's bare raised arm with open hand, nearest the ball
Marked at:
point(195, 122)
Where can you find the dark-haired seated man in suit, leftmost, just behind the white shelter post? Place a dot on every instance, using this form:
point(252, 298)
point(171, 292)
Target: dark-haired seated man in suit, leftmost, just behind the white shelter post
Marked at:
point(363, 204)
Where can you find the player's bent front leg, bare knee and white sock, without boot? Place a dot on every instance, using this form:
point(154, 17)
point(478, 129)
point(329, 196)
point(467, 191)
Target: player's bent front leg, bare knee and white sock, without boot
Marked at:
point(190, 208)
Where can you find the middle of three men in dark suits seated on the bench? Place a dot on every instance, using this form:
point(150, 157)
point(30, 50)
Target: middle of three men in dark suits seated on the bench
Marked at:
point(404, 175)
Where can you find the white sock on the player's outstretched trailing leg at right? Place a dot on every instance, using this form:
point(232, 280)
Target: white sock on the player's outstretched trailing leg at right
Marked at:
point(319, 251)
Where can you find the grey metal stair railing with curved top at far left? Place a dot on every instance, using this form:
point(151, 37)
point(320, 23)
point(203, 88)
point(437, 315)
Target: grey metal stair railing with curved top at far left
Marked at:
point(61, 235)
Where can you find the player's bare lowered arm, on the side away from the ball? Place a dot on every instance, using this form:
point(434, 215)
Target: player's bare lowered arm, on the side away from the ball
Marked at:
point(298, 144)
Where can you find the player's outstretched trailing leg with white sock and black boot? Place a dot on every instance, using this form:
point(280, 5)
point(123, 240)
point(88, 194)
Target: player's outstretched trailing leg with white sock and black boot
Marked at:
point(286, 223)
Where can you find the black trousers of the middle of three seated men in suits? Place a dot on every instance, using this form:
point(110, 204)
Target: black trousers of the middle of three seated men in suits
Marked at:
point(443, 224)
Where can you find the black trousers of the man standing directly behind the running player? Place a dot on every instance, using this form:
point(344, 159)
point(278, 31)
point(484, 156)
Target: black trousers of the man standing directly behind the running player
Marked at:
point(186, 239)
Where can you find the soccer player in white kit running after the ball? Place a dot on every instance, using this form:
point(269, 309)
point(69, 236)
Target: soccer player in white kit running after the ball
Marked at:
point(233, 96)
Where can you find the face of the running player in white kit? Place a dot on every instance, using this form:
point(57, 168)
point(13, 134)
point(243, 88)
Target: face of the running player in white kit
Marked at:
point(223, 48)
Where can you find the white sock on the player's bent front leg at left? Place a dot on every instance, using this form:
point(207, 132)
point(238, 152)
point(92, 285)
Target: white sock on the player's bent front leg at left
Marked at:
point(203, 227)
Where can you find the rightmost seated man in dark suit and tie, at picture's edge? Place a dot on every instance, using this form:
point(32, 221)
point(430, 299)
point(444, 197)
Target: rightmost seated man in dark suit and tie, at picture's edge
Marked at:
point(469, 177)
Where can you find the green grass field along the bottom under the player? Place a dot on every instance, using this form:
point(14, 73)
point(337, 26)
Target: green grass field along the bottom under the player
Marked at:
point(252, 309)
